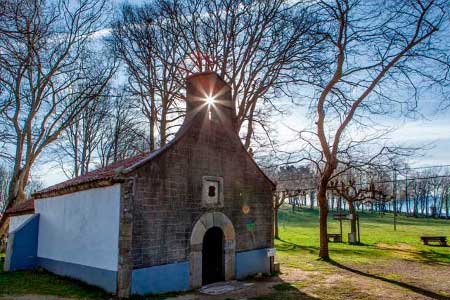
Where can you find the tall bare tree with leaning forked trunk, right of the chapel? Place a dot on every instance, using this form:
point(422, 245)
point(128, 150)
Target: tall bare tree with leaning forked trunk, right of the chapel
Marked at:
point(373, 48)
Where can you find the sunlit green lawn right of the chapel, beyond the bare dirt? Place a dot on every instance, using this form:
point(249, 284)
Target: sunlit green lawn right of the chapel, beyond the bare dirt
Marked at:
point(299, 239)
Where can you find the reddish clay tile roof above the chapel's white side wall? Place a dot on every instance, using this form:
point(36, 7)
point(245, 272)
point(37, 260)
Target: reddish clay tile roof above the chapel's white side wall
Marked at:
point(102, 174)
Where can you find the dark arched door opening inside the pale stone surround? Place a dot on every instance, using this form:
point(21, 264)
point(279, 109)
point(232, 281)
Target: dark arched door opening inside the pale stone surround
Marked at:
point(212, 256)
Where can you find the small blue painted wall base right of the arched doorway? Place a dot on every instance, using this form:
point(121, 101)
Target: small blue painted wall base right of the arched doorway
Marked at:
point(252, 262)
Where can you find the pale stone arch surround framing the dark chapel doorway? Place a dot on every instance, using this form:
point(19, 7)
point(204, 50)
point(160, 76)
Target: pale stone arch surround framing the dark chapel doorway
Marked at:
point(200, 236)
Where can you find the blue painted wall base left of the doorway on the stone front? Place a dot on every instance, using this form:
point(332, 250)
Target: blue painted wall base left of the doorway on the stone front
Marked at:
point(160, 279)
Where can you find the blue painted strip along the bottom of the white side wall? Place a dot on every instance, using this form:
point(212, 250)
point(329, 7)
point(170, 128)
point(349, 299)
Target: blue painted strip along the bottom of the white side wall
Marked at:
point(102, 278)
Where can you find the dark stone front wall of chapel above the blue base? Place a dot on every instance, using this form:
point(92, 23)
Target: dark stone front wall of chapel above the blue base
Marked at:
point(168, 193)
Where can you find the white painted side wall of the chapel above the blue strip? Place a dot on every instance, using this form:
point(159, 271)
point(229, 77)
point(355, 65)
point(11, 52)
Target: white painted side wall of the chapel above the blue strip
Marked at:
point(81, 228)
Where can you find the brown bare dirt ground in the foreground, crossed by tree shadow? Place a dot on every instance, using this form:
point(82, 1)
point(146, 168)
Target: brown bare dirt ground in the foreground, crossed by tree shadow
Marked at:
point(396, 279)
